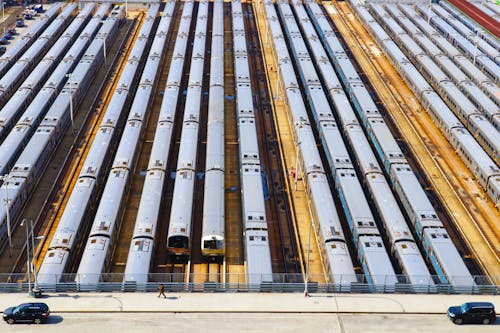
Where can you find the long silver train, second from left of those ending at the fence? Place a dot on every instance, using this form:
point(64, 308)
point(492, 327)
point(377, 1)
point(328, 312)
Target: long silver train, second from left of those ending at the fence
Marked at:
point(95, 259)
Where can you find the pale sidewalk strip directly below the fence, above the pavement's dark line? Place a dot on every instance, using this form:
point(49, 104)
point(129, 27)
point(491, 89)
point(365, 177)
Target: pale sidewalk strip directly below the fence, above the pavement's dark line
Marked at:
point(245, 302)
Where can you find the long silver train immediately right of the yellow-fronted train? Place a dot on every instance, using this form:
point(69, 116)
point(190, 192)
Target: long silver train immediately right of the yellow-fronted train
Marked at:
point(258, 261)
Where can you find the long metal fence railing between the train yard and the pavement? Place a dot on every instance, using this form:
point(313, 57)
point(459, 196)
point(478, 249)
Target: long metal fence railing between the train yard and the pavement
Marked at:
point(113, 282)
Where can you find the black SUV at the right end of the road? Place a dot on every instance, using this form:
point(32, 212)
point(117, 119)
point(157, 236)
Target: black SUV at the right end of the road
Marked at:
point(472, 312)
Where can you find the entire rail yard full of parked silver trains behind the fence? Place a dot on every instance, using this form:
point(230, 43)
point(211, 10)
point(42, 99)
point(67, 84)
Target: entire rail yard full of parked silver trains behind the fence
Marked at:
point(256, 145)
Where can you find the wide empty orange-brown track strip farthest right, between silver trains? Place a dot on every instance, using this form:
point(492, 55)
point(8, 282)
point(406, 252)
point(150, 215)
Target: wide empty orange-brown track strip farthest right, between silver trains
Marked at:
point(428, 146)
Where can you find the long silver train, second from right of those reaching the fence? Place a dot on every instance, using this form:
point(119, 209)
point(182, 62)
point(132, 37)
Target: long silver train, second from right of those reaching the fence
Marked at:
point(402, 243)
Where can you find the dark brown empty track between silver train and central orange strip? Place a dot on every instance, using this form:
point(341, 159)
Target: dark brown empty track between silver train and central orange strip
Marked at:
point(278, 210)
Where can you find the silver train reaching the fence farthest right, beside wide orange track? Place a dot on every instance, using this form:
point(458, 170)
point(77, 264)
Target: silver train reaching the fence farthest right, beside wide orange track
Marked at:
point(412, 197)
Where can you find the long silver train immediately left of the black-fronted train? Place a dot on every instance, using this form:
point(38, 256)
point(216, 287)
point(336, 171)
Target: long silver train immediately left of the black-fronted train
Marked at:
point(143, 238)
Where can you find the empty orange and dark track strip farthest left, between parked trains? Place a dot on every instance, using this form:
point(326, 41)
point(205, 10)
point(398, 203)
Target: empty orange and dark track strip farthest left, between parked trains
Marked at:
point(49, 214)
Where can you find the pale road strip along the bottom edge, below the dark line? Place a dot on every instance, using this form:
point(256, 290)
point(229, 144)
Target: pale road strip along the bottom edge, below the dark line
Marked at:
point(245, 322)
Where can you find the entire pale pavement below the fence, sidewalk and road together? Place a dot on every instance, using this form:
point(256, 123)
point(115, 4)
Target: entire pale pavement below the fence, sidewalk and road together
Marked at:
point(245, 312)
